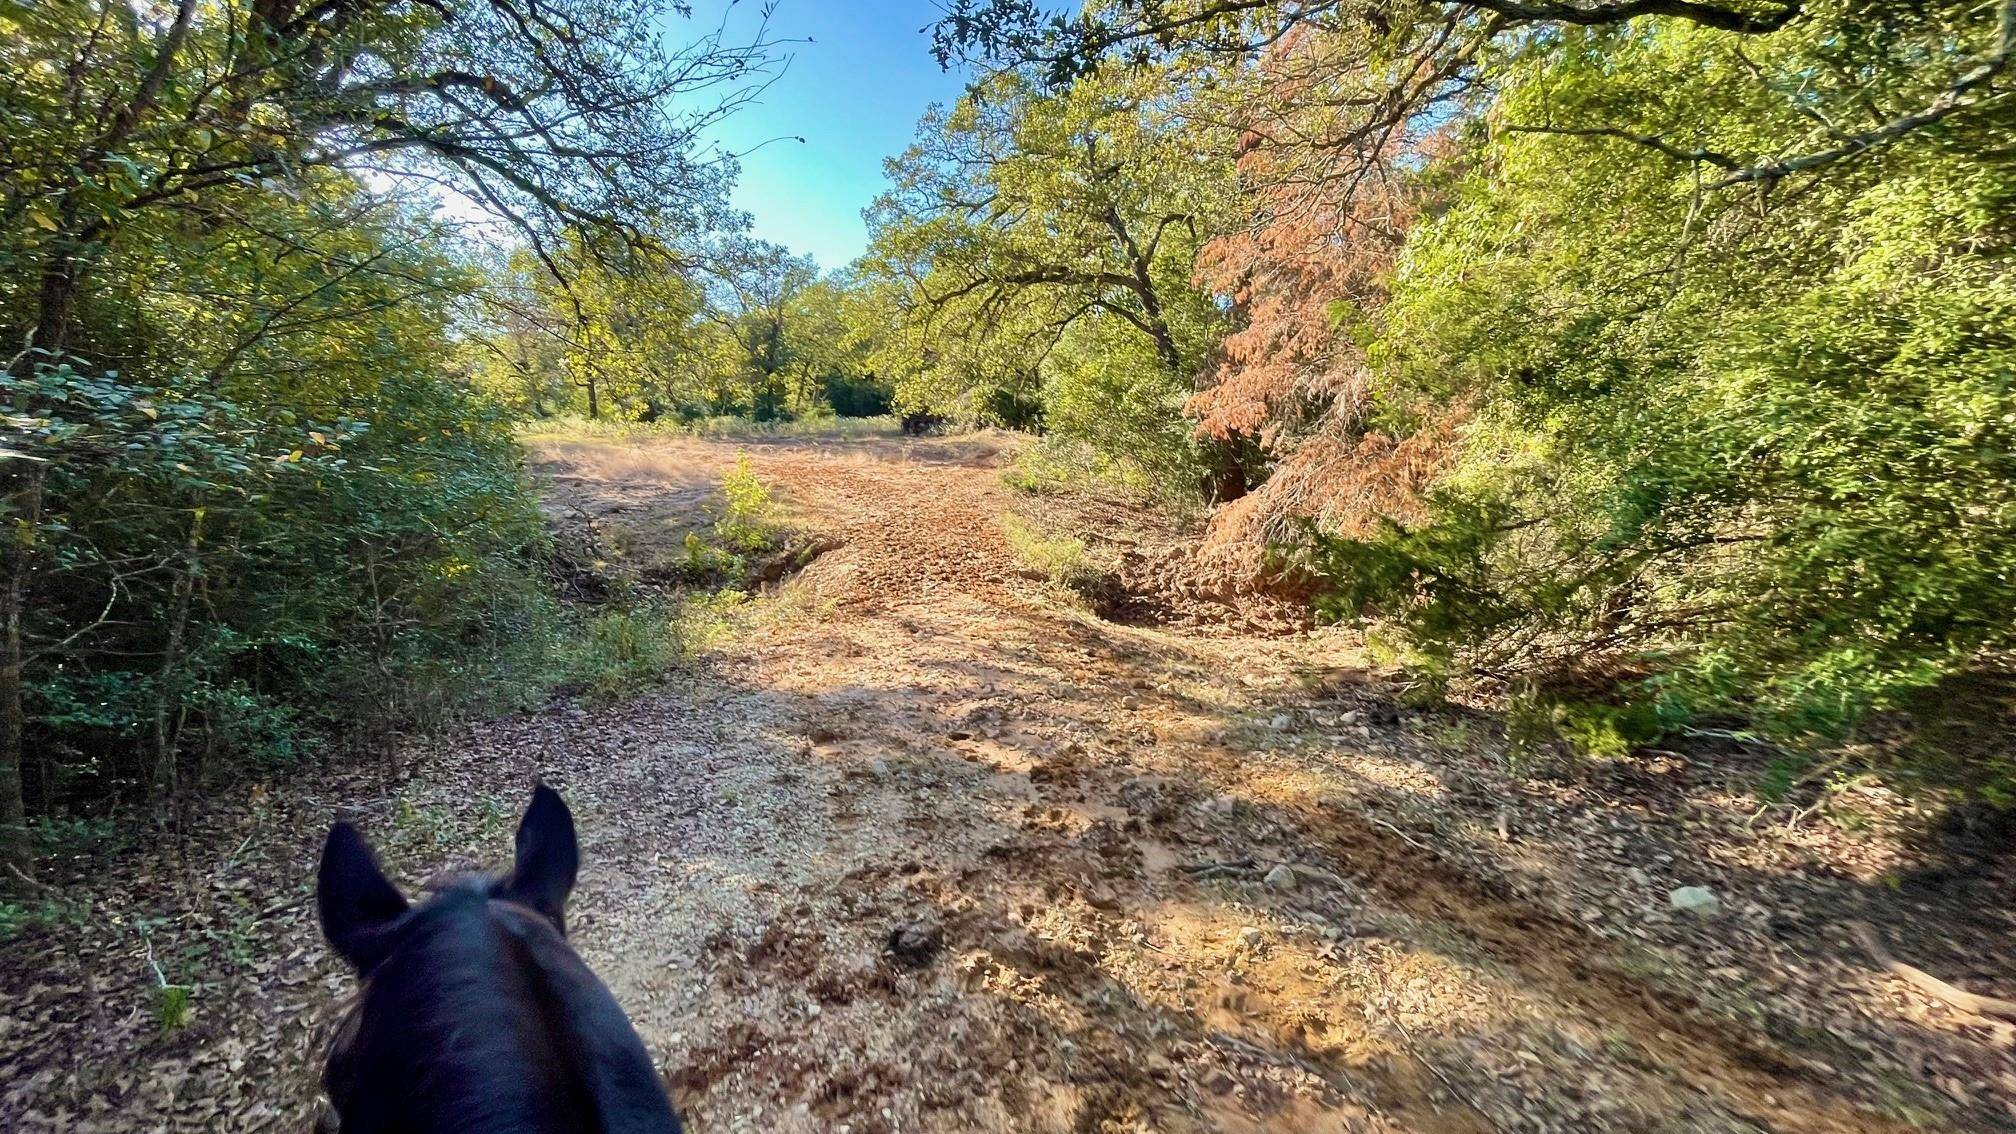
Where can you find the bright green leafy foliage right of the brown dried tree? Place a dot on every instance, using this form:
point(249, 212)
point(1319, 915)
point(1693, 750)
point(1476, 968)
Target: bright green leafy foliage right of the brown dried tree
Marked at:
point(1739, 455)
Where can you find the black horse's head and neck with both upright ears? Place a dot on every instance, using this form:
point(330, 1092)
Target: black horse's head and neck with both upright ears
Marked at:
point(477, 1016)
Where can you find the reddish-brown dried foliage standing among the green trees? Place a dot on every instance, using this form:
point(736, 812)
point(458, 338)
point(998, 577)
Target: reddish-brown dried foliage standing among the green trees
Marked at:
point(1330, 209)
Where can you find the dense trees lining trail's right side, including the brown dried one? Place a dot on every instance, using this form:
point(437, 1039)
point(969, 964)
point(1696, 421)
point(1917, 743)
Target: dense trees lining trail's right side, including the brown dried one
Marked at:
point(1648, 362)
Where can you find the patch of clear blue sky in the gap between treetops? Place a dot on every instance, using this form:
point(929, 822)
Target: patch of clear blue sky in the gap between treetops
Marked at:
point(854, 94)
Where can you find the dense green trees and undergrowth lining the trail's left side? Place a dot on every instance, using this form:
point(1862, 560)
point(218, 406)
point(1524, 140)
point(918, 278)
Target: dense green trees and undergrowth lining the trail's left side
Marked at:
point(253, 501)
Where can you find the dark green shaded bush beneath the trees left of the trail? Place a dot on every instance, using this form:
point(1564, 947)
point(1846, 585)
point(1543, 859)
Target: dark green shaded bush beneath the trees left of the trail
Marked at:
point(211, 584)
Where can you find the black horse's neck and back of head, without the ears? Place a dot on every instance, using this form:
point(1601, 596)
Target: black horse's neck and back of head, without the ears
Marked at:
point(485, 1022)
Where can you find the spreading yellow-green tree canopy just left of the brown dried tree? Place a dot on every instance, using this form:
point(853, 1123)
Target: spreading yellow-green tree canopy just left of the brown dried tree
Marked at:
point(1029, 231)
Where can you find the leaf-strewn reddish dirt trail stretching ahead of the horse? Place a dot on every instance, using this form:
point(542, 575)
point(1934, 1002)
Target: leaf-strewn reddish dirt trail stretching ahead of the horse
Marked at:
point(928, 848)
